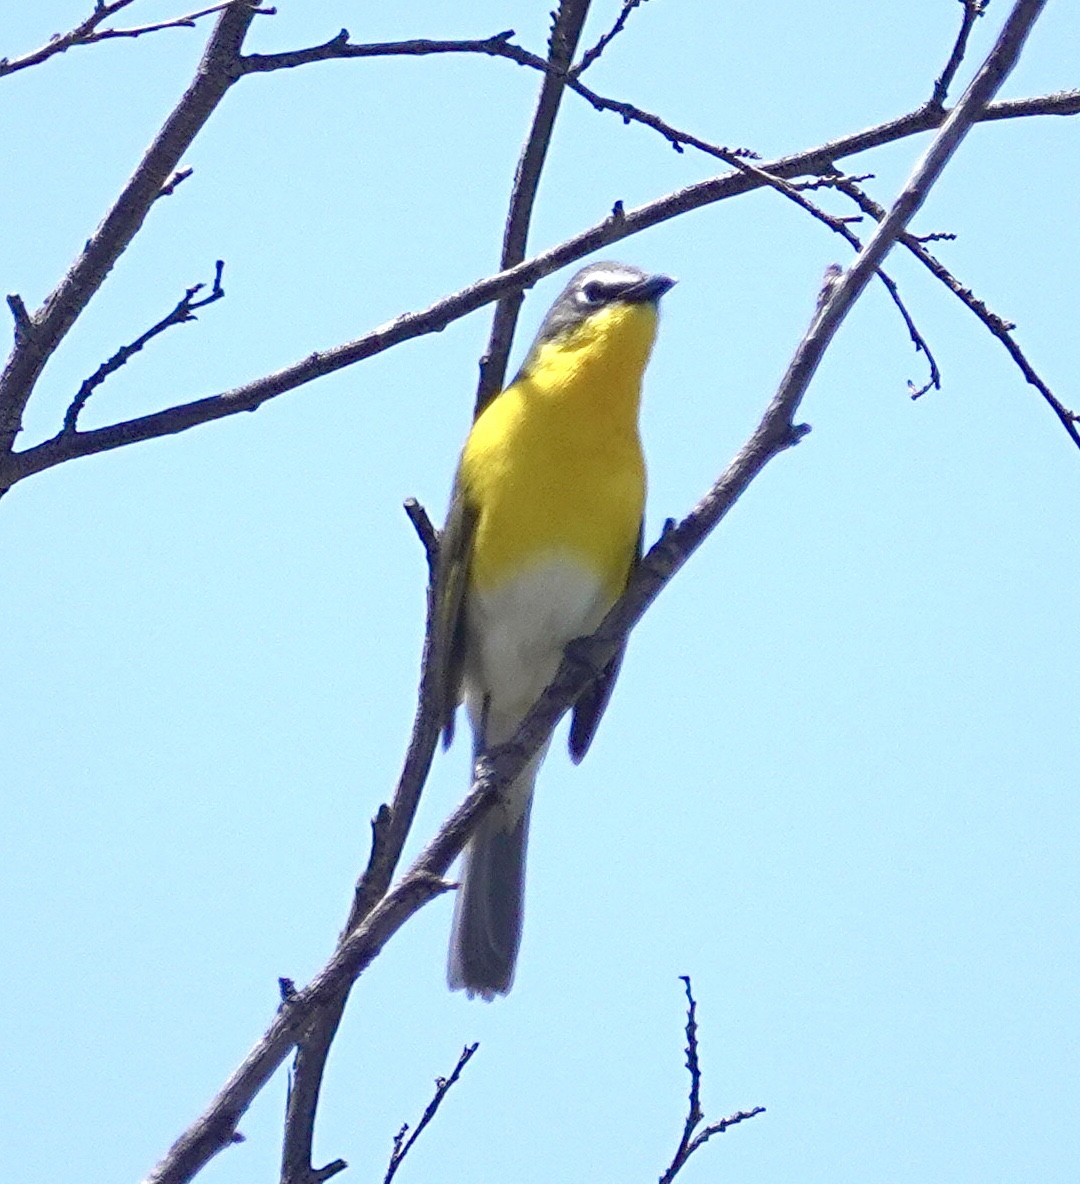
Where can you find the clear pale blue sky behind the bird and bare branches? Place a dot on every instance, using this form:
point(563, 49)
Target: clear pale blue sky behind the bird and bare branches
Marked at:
point(838, 783)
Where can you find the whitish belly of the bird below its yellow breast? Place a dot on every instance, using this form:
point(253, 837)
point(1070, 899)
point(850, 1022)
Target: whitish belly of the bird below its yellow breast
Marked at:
point(517, 635)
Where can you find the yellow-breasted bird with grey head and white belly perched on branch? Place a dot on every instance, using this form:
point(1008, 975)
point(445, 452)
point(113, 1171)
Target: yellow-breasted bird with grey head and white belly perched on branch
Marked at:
point(542, 537)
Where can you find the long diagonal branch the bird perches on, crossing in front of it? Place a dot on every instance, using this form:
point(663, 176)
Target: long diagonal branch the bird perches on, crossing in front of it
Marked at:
point(777, 432)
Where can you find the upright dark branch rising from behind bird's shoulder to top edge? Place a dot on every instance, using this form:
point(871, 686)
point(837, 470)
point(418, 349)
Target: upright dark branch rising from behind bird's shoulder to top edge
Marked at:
point(567, 33)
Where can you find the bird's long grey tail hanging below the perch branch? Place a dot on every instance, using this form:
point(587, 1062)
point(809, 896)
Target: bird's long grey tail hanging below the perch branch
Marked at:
point(491, 902)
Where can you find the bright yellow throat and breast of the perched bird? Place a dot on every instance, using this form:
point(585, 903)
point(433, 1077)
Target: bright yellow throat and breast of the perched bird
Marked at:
point(555, 466)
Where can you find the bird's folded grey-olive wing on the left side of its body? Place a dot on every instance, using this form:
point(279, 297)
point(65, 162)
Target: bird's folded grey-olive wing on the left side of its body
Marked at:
point(448, 642)
